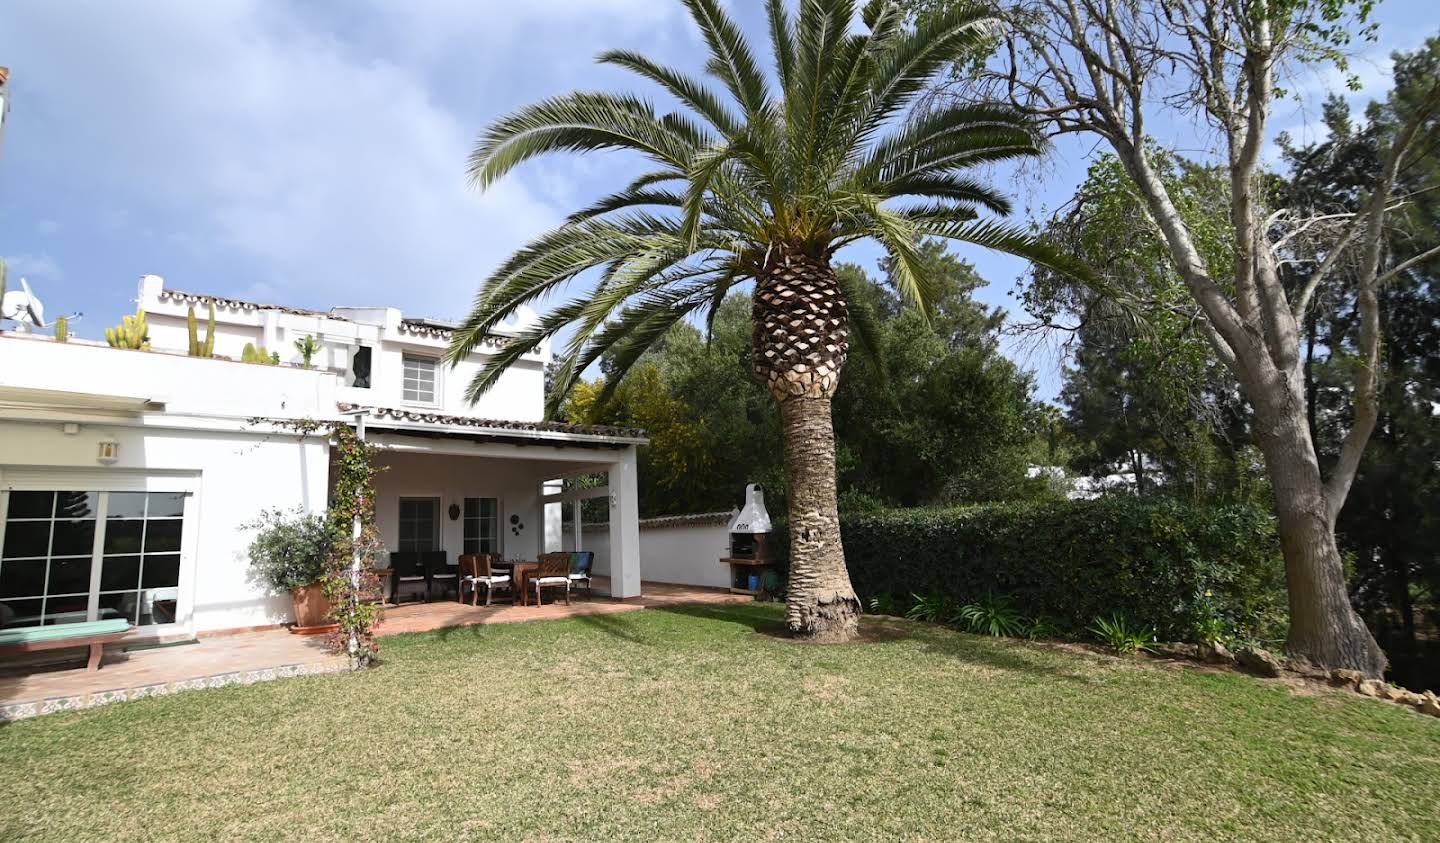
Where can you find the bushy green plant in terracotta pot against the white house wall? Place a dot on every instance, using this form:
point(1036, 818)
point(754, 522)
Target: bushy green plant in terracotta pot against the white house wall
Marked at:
point(289, 554)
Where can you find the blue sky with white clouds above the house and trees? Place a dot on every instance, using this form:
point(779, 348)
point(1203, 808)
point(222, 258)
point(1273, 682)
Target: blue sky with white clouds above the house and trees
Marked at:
point(313, 153)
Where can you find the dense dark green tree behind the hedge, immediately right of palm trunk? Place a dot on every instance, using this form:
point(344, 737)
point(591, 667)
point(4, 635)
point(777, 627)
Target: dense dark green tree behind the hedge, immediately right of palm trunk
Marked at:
point(940, 416)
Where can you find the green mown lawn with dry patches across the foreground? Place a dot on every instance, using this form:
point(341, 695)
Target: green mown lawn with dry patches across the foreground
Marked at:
point(699, 724)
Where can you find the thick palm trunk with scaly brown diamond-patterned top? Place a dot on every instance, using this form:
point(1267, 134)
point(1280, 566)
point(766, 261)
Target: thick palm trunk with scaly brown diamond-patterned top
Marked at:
point(800, 347)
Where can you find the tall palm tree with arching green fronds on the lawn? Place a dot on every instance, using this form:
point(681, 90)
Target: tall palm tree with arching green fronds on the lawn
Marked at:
point(761, 187)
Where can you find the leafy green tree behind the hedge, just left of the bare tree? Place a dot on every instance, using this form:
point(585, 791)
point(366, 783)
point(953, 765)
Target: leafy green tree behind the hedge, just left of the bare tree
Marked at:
point(1154, 404)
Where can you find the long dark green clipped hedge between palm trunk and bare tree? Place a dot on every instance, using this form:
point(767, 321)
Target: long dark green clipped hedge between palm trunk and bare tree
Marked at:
point(1163, 564)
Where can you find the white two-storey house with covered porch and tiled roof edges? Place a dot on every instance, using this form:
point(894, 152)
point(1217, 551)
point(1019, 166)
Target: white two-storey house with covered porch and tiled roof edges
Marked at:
point(126, 476)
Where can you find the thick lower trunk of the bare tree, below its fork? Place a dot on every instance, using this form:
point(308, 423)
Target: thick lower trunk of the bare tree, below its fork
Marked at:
point(1326, 629)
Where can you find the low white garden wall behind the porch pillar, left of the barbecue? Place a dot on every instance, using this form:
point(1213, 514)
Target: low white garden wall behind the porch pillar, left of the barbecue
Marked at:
point(676, 550)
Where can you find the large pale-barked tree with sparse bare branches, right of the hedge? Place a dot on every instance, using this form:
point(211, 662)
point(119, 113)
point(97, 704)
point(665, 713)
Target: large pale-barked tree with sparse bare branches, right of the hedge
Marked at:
point(1110, 70)
